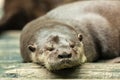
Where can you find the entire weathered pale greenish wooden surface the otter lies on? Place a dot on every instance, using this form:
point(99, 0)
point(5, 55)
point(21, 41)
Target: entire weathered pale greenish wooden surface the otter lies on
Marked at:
point(12, 68)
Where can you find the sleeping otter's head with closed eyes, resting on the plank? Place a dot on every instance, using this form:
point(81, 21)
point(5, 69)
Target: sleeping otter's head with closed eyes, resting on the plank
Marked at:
point(57, 50)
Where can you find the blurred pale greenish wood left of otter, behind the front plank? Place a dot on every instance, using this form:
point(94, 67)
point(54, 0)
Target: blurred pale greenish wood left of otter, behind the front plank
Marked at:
point(9, 47)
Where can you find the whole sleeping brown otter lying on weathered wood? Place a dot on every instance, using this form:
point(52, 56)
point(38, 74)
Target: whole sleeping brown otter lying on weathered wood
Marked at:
point(73, 34)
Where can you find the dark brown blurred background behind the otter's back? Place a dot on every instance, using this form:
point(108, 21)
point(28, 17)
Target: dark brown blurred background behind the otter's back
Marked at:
point(14, 14)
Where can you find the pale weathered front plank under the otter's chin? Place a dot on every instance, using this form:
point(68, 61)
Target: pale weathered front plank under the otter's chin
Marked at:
point(86, 71)
